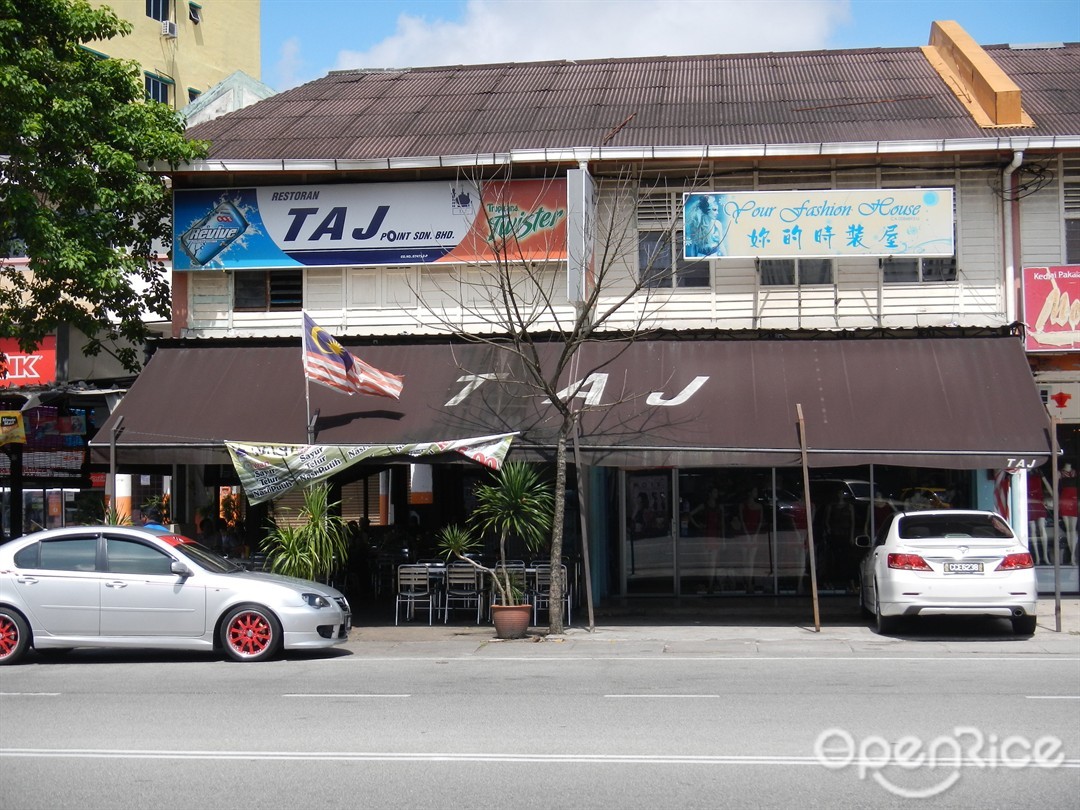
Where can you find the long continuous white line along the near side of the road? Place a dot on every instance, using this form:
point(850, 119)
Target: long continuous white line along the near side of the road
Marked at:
point(451, 758)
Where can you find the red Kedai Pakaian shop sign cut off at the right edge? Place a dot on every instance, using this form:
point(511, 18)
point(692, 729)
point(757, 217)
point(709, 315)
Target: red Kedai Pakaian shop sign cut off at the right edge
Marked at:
point(1052, 308)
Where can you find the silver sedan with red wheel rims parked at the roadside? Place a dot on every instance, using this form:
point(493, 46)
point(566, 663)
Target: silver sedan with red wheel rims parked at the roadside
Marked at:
point(142, 588)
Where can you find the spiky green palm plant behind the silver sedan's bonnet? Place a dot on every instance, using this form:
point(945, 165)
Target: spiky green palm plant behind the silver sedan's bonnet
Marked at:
point(313, 546)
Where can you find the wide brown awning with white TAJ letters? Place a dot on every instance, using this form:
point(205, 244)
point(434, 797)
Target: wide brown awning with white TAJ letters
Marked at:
point(958, 403)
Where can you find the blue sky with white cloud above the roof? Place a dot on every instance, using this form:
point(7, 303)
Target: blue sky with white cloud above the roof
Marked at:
point(306, 39)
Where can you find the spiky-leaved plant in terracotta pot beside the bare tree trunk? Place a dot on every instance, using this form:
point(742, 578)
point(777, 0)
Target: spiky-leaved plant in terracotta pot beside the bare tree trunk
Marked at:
point(518, 503)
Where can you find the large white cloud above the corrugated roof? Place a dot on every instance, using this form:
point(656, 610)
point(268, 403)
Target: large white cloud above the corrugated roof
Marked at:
point(528, 31)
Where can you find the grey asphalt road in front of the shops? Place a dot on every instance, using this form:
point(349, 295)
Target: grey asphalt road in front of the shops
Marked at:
point(607, 721)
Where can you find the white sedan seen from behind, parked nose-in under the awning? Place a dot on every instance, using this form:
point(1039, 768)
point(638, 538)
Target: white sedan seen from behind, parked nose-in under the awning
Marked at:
point(948, 563)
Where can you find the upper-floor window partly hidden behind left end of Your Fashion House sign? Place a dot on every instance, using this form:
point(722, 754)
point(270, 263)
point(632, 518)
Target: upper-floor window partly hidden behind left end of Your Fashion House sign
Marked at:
point(660, 261)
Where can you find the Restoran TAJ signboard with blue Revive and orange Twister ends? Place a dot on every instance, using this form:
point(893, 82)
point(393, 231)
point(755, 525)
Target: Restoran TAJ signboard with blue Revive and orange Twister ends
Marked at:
point(371, 224)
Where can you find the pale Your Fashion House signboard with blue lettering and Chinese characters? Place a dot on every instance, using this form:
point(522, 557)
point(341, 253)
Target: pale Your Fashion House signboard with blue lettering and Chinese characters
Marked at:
point(819, 224)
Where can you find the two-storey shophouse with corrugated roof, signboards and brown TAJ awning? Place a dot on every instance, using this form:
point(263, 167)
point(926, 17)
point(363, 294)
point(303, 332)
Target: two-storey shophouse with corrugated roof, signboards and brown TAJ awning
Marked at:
point(784, 261)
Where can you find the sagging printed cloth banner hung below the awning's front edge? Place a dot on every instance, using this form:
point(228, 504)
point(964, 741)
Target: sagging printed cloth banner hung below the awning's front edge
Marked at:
point(269, 470)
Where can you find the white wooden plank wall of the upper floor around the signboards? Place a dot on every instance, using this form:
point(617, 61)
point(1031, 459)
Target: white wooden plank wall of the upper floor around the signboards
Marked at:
point(434, 300)
